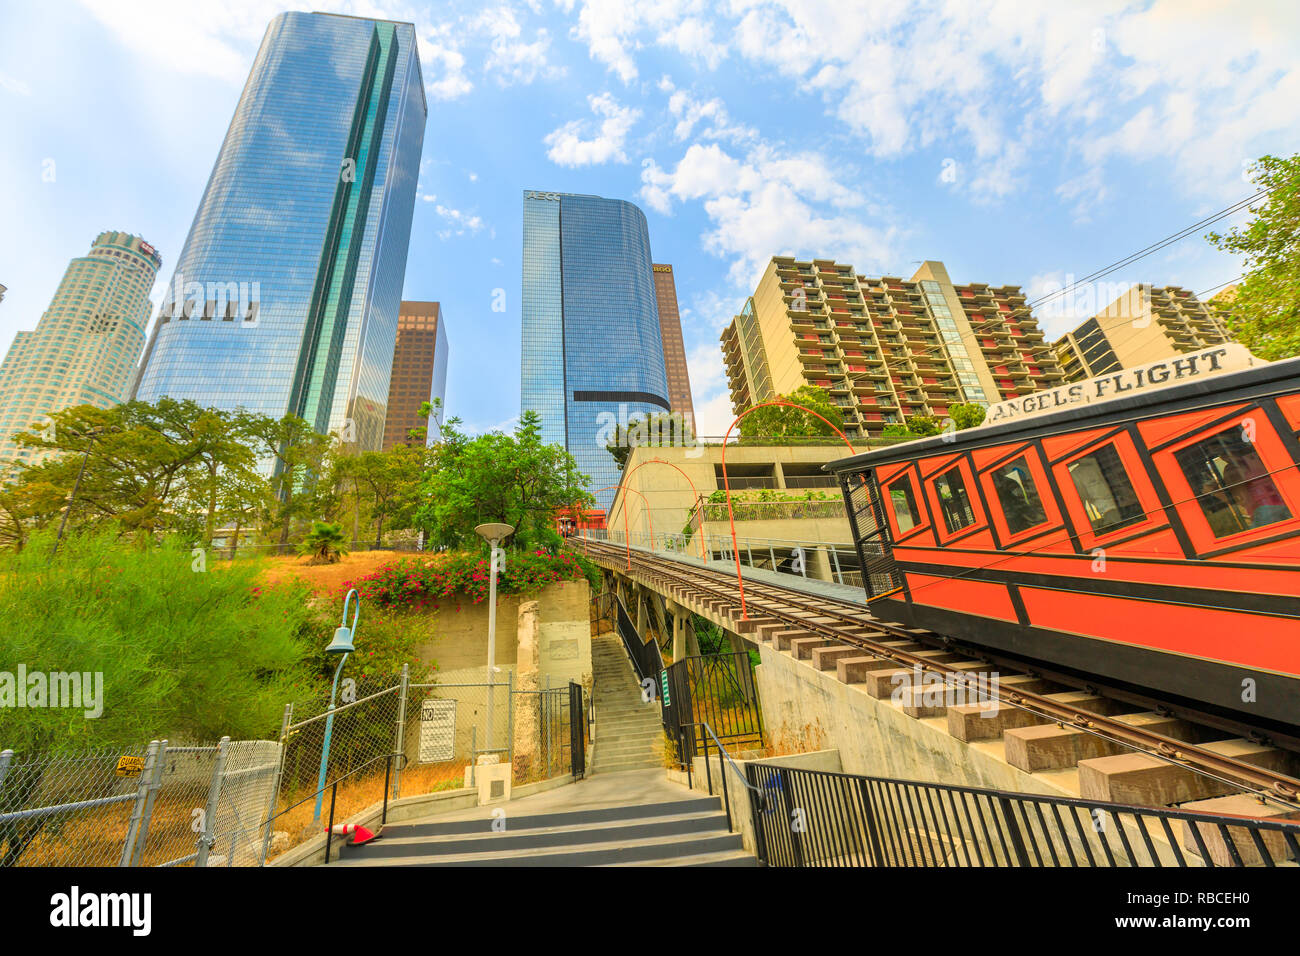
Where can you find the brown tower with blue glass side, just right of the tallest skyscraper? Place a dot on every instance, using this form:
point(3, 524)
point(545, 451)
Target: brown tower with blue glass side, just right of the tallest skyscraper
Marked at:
point(419, 374)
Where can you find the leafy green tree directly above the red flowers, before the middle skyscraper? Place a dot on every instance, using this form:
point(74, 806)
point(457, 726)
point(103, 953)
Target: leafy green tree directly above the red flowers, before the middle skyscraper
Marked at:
point(515, 479)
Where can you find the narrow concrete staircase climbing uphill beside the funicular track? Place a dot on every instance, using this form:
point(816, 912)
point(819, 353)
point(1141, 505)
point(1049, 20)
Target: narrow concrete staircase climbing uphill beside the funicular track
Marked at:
point(629, 733)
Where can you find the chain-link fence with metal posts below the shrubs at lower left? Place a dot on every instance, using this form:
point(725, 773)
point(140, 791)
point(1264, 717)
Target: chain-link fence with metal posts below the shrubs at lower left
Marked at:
point(244, 803)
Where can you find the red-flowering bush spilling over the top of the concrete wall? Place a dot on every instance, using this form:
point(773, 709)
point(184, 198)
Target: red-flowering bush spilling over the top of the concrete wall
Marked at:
point(417, 583)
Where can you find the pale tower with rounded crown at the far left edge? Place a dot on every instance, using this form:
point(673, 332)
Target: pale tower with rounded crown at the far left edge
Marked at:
point(85, 347)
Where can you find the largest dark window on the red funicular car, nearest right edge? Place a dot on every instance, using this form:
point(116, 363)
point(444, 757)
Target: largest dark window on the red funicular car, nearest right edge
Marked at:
point(1232, 485)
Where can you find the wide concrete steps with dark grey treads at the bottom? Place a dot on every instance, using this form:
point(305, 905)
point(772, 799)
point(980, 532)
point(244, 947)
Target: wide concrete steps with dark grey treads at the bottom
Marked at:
point(626, 820)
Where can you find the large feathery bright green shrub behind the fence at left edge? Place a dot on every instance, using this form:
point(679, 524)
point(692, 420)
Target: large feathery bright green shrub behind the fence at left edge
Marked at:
point(188, 651)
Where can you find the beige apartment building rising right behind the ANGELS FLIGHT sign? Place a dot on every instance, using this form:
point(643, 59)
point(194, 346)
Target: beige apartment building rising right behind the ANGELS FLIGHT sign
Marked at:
point(1143, 325)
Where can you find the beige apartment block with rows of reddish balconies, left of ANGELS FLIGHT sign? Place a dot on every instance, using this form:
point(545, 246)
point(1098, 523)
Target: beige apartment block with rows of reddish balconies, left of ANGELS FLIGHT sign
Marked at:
point(886, 348)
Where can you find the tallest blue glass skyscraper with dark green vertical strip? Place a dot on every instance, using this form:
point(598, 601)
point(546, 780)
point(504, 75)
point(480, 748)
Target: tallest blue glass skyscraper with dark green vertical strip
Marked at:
point(287, 293)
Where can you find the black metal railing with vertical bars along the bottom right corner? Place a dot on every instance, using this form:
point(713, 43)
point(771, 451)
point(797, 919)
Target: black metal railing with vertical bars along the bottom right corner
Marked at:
point(821, 819)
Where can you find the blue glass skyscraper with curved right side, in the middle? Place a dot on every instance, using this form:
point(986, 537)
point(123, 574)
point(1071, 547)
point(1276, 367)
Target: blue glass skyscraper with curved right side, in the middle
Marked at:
point(592, 347)
